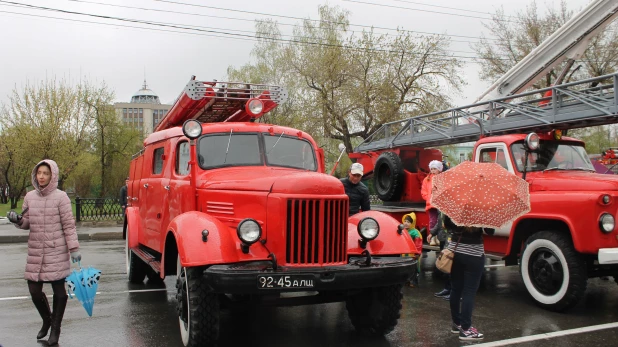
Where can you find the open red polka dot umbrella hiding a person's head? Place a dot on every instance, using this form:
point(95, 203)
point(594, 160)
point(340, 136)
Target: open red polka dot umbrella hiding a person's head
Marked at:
point(480, 194)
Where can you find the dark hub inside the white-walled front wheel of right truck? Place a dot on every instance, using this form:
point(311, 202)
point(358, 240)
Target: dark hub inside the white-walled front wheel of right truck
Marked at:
point(545, 271)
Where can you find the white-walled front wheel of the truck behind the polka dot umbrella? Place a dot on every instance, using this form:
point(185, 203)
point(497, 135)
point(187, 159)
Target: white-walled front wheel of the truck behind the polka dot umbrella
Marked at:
point(553, 272)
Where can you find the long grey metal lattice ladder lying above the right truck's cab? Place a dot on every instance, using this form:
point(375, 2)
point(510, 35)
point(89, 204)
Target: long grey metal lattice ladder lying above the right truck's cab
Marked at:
point(572, 105)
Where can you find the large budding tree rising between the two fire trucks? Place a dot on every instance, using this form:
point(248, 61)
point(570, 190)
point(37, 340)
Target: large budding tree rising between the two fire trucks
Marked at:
point(345, 85)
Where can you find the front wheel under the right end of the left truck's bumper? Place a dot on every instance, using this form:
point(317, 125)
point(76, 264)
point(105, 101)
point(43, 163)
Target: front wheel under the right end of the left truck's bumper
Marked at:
point(375, 311)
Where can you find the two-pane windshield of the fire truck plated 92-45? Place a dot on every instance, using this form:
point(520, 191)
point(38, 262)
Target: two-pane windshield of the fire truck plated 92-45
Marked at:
point(244, 149)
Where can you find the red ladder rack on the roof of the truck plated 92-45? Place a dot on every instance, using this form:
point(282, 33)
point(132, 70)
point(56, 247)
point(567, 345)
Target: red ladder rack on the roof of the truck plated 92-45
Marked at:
point(215, 102)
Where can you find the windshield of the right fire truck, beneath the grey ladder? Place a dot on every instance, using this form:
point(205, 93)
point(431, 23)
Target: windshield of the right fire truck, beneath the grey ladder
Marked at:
point(553, 155)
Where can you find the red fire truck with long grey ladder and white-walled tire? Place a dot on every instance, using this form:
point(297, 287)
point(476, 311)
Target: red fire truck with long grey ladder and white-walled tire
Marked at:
point(570, 234)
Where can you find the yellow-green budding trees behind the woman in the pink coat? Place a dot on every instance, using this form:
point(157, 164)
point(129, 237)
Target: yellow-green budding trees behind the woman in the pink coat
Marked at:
point(74, 125)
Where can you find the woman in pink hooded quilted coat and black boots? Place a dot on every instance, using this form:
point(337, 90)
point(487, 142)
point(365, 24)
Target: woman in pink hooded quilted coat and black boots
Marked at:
point(52, 241)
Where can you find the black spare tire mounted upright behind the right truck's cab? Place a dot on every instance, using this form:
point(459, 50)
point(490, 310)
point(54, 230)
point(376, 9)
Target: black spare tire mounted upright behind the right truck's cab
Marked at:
point(388, 176)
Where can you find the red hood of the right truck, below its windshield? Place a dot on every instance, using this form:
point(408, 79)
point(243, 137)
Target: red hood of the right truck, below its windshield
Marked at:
point(572, 181)
